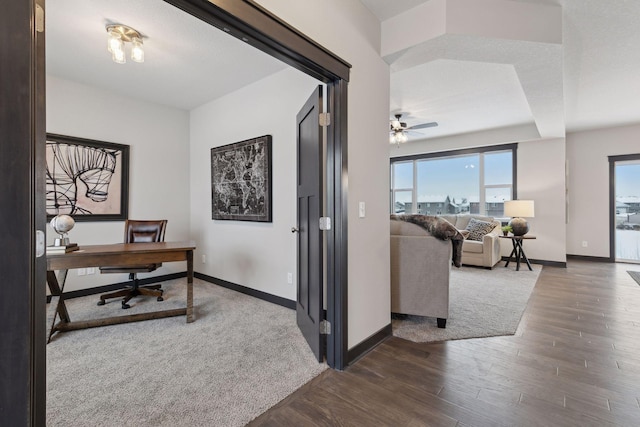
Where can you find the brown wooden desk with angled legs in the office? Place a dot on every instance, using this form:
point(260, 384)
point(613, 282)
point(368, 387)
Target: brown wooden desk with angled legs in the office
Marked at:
point(121, 254)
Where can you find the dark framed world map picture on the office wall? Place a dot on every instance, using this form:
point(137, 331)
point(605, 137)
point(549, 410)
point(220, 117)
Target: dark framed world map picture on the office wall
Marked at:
point(241, 188)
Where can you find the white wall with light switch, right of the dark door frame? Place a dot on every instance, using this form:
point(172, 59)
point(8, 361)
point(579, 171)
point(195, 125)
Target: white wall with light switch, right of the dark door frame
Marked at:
point(349, 30)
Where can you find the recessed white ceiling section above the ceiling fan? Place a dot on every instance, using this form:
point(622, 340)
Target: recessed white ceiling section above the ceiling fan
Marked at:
point(468, 87)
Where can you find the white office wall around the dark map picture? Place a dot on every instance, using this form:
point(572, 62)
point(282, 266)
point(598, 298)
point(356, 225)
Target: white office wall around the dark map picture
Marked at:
point(256, 255)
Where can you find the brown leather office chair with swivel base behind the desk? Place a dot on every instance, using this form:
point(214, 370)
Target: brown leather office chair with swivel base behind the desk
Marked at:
point(137, 232)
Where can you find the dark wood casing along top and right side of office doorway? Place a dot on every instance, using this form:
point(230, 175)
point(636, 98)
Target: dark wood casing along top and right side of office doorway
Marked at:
point(255, 25)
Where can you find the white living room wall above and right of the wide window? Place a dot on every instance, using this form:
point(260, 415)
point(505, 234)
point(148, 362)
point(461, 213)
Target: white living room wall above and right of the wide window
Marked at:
point(541, 178)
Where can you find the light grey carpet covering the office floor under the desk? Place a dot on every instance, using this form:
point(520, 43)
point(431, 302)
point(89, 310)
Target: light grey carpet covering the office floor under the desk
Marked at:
point(241, 356)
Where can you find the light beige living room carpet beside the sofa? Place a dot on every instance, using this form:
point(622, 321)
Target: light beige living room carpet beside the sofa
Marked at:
point(482, 303)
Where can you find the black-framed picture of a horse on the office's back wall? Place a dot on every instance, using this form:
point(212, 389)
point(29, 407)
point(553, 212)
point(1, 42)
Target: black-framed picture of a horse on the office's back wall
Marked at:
point(86, 179)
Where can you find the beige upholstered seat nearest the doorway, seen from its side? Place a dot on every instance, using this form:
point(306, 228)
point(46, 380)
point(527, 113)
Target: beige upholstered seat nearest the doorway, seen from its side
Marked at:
point(420, 268)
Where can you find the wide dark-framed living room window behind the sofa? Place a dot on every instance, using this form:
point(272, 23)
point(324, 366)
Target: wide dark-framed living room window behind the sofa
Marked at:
point(475, 181)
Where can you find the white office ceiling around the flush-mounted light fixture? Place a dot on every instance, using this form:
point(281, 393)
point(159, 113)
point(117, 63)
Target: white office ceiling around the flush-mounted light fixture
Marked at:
point(187, 62)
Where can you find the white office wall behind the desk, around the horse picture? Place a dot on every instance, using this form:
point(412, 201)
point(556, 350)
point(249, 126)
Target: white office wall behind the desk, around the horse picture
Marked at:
point(159, 176)
